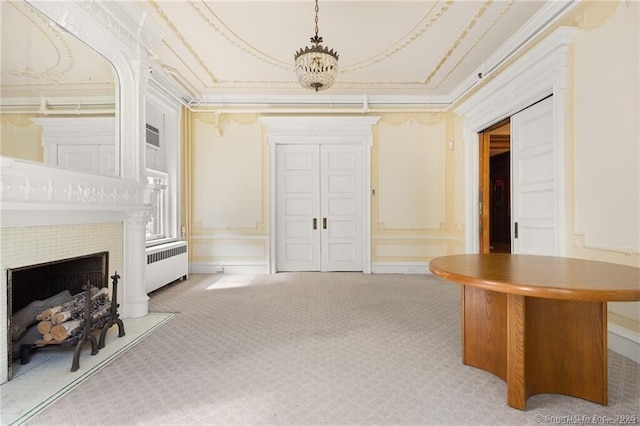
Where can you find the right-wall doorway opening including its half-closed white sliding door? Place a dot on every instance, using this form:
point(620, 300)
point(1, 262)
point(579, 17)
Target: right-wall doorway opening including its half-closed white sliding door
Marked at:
point(519, 183)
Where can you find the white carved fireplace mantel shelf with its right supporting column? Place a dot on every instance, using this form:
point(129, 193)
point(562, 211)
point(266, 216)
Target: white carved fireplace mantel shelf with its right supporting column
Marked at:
point(36, 194)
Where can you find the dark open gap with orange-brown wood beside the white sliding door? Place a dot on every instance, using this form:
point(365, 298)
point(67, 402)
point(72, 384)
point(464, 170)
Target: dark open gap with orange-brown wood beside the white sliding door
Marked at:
point(495, 188)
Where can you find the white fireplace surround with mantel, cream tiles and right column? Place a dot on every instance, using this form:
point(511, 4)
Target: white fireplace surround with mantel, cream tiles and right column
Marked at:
point(48, 214)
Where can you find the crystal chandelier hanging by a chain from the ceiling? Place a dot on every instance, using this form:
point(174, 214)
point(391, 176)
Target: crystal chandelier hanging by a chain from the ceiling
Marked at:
point(316, 66)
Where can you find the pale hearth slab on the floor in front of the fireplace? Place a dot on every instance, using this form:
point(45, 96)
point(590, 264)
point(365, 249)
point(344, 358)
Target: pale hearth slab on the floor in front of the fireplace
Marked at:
point(48, 375)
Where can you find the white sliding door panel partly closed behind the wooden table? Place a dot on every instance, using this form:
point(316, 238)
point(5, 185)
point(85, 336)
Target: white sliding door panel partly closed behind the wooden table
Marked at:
point(534, 180)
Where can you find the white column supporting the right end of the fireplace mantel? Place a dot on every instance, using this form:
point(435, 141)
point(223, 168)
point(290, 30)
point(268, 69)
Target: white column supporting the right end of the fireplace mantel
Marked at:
point(136, 301)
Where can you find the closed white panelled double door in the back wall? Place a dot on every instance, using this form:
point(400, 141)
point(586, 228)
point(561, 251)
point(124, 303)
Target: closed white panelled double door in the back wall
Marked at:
point(319, 196)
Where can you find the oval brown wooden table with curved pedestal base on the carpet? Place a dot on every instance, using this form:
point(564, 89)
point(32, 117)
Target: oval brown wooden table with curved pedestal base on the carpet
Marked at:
point(538, 322)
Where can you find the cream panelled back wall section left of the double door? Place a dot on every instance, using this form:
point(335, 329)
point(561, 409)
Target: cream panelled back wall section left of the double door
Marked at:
point(229, 199)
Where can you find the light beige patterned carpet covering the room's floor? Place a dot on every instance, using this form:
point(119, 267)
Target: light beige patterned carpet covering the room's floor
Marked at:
point(310, 349)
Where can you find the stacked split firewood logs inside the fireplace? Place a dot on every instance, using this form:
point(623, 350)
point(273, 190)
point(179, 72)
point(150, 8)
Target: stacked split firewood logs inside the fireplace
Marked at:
point(66, 323)
